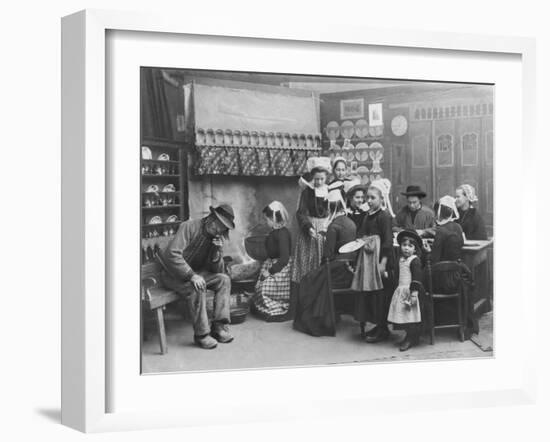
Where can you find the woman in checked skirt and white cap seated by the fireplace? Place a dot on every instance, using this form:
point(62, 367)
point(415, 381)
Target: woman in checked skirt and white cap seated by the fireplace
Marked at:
point(272, 292)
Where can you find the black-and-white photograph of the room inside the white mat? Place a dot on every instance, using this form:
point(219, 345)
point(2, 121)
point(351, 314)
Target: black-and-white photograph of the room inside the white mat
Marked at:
point(284, 226)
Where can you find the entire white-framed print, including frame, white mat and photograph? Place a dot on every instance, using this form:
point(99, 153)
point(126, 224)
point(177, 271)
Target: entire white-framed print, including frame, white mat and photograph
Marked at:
point(190, 267)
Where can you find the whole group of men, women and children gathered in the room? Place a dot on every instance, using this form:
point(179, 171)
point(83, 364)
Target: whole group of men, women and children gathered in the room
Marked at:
point(333, 213)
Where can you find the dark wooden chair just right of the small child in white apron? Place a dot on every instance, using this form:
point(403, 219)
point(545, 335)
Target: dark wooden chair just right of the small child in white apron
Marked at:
point(459, 296)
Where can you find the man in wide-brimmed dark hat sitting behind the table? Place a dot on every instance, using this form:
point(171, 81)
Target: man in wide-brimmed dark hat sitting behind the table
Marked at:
point(415, 216)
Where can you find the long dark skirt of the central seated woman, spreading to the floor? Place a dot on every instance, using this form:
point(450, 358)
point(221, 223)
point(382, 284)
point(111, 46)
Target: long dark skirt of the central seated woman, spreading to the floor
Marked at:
point(314, 306)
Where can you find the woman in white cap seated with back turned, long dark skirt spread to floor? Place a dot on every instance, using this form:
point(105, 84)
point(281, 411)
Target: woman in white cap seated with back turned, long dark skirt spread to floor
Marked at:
point(315, 306)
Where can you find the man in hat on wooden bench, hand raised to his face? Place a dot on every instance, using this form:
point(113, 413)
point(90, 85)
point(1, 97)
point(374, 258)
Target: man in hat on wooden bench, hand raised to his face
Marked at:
point(193, 262)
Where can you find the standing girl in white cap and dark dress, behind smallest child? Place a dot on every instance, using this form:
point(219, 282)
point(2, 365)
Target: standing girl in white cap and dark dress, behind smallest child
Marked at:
point(373, 306)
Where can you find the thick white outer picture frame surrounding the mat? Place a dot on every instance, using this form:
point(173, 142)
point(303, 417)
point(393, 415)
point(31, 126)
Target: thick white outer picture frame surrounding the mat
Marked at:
point(86, 233)
